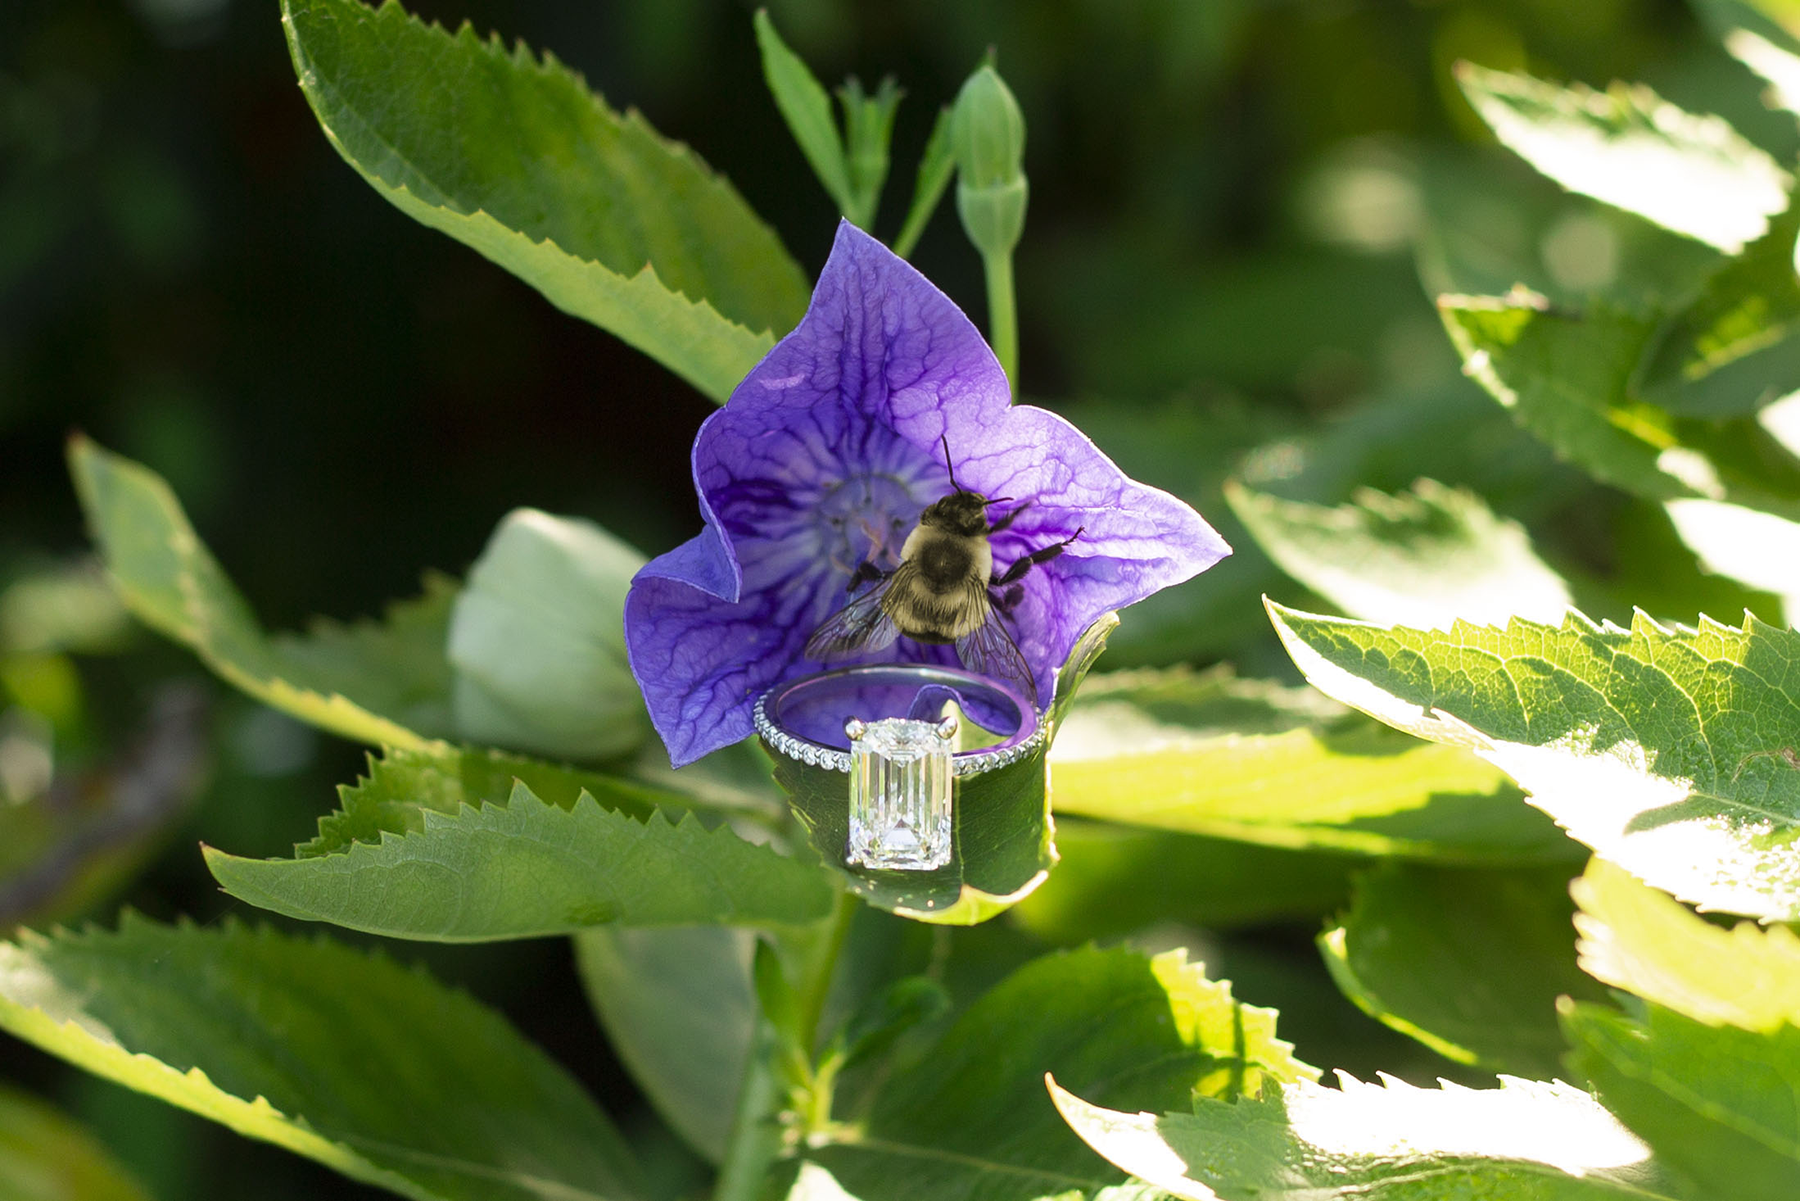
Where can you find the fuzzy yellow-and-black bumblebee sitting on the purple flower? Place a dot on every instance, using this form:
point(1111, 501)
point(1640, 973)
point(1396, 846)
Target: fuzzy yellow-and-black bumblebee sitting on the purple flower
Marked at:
point(944, 591)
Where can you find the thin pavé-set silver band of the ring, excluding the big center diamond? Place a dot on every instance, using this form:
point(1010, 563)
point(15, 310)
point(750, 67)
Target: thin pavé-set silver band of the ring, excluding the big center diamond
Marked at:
point(786, 727)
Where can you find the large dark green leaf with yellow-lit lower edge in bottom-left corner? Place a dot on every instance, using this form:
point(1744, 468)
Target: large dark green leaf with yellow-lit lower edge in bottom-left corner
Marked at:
point(350, 1060)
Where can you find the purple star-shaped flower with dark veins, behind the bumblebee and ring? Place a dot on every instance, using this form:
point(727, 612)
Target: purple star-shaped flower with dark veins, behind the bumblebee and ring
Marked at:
point(827, 455)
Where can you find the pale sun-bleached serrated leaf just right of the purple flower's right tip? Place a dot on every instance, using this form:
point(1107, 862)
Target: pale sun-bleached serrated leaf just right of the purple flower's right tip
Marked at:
point(1423, 557)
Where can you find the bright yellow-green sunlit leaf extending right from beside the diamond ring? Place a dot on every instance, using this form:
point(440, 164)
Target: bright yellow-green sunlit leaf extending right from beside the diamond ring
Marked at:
point(1254, 763)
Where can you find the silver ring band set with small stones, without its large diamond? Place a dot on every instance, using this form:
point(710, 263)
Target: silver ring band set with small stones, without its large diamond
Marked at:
point(773, 714)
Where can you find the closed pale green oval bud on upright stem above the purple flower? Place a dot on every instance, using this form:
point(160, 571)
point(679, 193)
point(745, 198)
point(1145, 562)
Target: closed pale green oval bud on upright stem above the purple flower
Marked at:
point(991, 190)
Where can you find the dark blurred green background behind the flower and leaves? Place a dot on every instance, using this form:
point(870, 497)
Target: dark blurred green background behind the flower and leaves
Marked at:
point(1239, 212)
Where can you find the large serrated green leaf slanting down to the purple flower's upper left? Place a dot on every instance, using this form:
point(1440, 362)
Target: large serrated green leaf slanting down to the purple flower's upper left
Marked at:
point(516, 158)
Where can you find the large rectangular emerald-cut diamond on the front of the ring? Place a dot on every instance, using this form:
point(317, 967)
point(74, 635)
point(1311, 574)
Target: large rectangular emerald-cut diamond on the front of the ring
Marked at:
point(901, 795)
